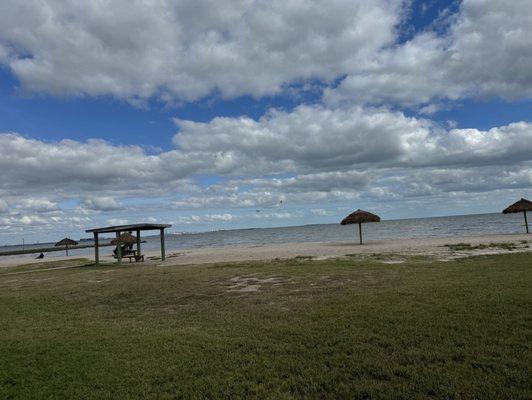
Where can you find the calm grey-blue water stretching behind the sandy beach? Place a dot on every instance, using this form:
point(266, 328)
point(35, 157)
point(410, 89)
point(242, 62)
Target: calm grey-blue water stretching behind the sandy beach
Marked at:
point(407, 228)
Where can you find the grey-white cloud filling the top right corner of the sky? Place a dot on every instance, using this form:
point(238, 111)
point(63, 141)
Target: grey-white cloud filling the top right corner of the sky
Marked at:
point(487, 51)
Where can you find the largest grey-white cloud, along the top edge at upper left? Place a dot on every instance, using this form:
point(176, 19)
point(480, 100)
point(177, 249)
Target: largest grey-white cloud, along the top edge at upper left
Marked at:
point(186, 50)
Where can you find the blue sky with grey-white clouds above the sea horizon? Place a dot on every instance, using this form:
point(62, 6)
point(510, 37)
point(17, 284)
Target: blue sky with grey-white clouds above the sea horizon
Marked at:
point(223, 114)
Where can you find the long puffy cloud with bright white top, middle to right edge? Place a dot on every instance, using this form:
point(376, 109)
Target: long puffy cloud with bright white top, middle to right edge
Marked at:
point(310, 139)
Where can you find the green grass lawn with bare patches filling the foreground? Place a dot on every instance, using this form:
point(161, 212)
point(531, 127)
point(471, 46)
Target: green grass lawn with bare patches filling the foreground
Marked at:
point(278, 330)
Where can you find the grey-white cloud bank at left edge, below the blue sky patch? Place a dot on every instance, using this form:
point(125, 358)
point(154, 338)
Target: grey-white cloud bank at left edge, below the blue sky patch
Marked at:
point(30, 166)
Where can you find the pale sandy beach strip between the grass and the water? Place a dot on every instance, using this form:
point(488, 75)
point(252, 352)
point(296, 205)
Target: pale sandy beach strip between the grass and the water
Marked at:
point(441, 248)
